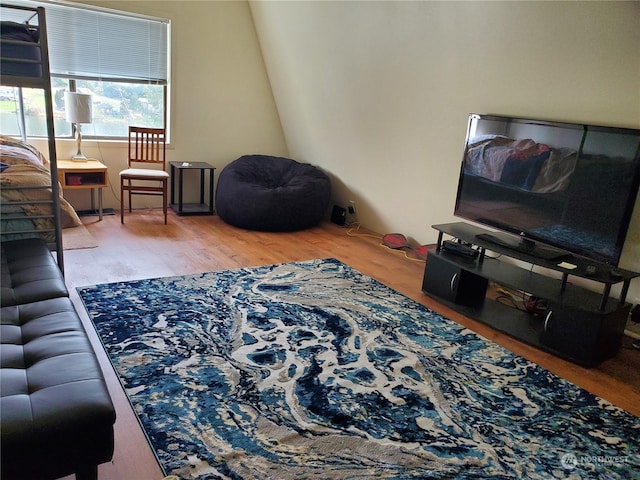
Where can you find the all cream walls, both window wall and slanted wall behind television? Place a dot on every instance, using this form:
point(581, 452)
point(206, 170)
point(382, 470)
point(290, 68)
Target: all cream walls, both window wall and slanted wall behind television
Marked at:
point(377, 93)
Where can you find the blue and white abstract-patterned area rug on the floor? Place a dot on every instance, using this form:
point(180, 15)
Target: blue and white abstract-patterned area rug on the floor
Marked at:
point(312, 370)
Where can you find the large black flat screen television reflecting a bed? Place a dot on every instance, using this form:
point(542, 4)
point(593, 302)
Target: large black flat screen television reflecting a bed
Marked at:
point(550, 188)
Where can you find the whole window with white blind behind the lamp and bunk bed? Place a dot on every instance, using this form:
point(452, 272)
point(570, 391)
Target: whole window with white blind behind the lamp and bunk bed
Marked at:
point(120, 58)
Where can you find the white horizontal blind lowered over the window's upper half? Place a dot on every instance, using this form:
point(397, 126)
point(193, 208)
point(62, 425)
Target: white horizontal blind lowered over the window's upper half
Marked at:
point(86, 42)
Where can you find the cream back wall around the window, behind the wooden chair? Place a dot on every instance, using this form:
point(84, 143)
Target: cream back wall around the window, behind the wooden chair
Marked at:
point(221, 101)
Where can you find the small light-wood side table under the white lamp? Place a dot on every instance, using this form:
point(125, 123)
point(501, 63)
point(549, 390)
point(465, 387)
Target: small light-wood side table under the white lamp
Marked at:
point(91, 174)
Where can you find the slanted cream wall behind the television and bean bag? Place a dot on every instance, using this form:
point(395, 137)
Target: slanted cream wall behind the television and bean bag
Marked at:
point(378, 93)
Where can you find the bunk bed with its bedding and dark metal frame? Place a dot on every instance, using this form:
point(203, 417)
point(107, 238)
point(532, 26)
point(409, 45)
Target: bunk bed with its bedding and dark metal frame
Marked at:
point(31, 202)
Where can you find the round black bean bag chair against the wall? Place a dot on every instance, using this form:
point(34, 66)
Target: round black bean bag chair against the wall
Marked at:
point(273, 194)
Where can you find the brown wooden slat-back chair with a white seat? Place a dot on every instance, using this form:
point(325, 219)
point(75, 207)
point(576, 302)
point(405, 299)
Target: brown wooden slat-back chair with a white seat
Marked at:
point(147, 147)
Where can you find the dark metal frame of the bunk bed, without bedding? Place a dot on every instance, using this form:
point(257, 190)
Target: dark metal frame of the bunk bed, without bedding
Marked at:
point(43, 82)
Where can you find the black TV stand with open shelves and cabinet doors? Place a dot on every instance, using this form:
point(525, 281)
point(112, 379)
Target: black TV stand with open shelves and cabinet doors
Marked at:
point(575, 323)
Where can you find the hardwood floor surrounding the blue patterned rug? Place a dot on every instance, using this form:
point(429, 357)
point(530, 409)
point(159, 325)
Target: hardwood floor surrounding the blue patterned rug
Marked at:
point(144, 248)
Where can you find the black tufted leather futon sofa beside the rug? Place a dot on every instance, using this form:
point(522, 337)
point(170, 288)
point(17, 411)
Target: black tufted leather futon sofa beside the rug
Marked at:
point(56, 415)
